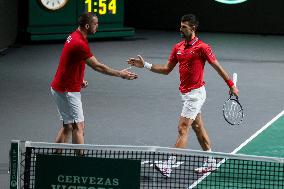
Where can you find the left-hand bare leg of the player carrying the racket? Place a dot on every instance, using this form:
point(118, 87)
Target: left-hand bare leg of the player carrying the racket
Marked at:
point(183, 131)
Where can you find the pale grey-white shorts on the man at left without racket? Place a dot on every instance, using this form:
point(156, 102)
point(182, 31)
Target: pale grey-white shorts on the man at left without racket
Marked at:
point(69, 106)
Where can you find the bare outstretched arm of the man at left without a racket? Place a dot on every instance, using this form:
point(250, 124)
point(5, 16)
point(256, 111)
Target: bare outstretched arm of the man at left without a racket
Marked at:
point(104, 69)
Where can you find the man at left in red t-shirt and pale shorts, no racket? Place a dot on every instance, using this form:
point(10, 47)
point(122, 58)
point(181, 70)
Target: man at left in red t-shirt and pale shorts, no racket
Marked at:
point(69, 79)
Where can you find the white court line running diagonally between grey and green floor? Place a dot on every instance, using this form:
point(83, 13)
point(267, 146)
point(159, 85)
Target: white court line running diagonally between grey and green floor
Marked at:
point(239, 147)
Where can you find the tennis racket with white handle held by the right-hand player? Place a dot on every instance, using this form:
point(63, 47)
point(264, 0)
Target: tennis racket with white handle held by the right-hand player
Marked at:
point(232, 108)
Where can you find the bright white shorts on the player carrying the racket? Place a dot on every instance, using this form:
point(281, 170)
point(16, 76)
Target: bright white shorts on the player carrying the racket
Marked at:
point(192, 102)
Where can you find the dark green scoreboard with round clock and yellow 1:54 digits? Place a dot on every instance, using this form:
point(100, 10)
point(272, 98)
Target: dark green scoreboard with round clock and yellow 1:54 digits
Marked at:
point(56, 19)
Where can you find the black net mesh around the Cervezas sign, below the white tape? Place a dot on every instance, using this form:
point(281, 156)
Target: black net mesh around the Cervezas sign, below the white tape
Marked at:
point(176, 169)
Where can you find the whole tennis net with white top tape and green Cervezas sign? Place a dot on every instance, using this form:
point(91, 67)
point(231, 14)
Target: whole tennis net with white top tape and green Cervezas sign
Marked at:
point(152, 167)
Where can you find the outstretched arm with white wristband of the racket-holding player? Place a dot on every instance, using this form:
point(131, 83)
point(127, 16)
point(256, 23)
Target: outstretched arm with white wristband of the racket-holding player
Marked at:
point(157, 68)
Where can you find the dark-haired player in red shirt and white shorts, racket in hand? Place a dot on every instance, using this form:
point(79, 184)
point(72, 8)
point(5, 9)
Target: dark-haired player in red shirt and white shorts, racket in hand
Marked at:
point(191, 55)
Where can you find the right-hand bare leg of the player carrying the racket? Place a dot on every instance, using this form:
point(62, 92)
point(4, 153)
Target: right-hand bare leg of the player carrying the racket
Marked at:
point(201, 133)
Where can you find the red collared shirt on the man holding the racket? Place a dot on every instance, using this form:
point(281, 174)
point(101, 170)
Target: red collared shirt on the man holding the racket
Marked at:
point(191, 57)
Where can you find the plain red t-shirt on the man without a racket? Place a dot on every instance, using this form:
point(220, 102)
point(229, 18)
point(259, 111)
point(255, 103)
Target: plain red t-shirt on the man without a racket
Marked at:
point(71, 69)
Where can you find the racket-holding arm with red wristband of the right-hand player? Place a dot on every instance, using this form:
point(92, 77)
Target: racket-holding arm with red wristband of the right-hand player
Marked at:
point(222, 72)
